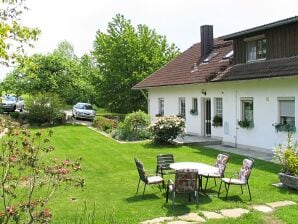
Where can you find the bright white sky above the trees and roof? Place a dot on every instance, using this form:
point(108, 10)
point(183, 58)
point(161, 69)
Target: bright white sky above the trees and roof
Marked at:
point(179, 20)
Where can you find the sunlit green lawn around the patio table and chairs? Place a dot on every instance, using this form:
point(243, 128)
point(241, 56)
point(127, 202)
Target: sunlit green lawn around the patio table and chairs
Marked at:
point(111, 179)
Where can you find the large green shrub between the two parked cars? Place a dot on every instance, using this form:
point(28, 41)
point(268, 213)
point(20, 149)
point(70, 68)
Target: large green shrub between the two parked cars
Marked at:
point(44, 108)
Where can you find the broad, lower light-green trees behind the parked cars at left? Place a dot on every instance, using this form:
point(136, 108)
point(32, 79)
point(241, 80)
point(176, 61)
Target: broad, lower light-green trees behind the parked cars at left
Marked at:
point(60, 72)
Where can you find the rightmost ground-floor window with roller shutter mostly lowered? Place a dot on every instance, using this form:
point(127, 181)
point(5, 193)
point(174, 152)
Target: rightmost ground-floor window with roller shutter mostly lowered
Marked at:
point(287, 112)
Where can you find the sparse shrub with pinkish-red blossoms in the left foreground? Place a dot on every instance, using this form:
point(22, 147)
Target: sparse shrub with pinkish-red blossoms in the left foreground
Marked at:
point(29, 177)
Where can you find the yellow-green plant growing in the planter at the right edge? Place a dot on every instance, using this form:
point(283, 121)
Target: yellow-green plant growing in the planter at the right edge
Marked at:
point(287, 155)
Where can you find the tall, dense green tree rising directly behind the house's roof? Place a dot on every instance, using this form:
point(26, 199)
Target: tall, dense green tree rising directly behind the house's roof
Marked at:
point(126, 55)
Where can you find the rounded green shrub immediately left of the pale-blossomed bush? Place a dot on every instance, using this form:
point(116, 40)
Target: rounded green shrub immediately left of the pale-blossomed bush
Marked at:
point(134, 127)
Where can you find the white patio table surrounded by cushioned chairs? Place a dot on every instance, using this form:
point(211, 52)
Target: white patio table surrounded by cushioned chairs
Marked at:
point(203, 169)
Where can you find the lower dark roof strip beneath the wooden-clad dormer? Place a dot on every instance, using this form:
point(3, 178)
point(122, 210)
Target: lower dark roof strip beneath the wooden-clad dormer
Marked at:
point(264, 69)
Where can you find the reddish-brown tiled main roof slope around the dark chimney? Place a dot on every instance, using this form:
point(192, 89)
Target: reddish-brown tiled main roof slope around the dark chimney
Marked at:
point(181, 69)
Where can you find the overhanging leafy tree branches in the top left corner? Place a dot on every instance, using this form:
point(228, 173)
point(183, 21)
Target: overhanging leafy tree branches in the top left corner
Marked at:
point(13, 35)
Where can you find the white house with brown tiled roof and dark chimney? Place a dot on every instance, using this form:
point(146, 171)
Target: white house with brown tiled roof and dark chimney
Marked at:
point(241, 88)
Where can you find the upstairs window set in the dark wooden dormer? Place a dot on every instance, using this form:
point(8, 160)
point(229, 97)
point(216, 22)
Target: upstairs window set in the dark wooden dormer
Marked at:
point(256, 49)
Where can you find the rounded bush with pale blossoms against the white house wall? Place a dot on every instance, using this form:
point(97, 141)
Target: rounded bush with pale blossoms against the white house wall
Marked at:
point(167, 128)
